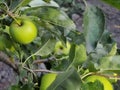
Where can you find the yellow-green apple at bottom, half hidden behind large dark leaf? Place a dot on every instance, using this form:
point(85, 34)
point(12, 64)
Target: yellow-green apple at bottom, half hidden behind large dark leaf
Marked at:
point(47, 80)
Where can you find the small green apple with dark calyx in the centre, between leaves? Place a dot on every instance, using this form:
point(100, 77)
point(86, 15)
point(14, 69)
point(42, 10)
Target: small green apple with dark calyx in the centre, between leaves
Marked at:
point(60, 49)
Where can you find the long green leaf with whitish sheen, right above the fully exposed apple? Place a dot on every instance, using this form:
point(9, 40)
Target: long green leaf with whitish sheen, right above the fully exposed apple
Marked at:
point(54, 16)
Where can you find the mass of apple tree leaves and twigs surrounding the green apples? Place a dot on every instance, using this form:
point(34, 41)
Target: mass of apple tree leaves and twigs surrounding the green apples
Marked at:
point(92, 51)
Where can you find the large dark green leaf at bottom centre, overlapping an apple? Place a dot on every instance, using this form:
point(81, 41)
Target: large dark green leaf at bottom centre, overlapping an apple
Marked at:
point(69, 80)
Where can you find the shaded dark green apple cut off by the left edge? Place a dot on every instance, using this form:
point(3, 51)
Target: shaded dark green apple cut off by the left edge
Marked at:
point(5, 42)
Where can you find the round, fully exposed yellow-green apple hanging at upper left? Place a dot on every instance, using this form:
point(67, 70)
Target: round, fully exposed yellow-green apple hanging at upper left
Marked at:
point(24, 33)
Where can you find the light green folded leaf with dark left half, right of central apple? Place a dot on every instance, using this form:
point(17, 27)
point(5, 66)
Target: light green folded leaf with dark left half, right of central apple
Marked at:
point(77, 55)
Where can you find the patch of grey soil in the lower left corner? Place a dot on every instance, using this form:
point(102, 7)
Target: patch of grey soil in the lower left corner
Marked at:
point(7, 73)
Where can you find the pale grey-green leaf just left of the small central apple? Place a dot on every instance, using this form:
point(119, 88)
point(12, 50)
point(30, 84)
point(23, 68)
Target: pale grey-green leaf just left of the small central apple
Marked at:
point(47, 48)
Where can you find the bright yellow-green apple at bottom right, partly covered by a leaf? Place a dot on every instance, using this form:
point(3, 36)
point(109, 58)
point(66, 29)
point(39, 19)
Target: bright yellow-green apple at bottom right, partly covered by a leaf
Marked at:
point(106, 83)
